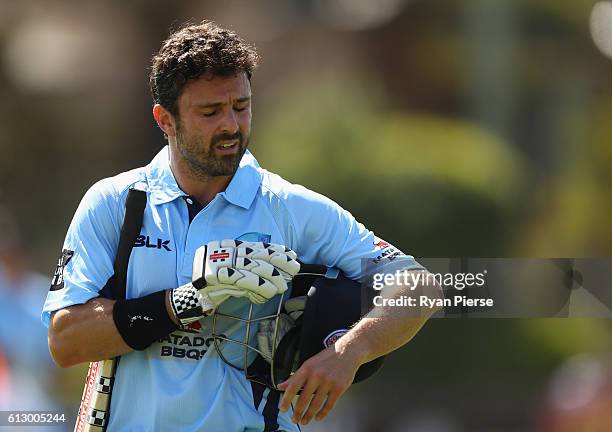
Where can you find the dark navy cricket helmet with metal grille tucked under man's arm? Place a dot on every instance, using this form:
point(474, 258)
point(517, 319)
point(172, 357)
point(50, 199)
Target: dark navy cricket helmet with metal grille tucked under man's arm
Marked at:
point(321, 306)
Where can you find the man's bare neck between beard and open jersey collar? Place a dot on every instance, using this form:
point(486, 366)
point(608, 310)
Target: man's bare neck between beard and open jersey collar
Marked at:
point(202, 189)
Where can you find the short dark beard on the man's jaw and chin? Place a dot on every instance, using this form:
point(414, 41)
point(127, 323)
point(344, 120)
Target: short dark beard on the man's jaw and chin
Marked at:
point(202, 159)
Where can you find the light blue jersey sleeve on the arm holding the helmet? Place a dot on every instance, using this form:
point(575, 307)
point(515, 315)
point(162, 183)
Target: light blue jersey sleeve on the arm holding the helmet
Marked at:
point(327, 234)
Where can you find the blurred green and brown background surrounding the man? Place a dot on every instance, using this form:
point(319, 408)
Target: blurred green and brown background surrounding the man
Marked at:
point(479, 128)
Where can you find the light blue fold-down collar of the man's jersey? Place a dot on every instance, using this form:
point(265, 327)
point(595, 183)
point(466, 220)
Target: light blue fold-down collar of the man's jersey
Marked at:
point(241, 190)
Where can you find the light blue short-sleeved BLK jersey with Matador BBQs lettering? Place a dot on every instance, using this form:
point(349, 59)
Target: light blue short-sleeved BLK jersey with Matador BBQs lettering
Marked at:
point(180, 383)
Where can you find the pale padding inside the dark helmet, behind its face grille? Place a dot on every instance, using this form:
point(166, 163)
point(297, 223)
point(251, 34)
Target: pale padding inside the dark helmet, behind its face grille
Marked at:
point(293, 310)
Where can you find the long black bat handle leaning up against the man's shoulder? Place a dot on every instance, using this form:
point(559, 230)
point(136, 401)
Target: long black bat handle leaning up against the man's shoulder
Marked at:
point(132, 223)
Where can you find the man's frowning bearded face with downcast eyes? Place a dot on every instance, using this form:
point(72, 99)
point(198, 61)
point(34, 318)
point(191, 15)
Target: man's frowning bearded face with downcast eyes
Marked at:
point(214, 124)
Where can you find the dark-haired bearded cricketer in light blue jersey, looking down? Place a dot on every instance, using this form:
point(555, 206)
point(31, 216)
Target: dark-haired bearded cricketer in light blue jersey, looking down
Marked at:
point(206, 189)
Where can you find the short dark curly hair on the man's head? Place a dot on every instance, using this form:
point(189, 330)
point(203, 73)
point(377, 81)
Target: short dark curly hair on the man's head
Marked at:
point(195, 50)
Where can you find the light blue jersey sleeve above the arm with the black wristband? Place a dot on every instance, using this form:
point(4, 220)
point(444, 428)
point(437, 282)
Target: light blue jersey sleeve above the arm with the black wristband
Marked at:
point(88, 252)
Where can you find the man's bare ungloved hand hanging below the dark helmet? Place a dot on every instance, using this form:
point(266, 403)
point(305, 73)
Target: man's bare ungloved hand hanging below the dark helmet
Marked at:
point(322, 379)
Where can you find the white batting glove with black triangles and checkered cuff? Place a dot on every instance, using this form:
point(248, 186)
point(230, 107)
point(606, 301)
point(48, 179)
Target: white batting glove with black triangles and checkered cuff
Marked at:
point(232, 268)
